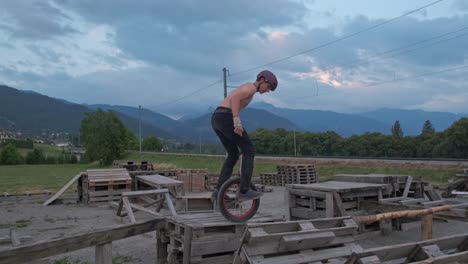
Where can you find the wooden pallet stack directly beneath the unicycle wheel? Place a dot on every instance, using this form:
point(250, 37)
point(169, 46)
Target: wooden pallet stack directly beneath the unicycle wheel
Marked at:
point(202, 238)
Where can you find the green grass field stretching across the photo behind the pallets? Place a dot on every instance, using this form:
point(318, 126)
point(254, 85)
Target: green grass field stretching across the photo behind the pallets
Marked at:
point(21, 178)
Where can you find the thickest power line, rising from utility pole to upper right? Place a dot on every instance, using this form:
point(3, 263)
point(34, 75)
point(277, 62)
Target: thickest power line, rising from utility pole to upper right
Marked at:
point(336, 40)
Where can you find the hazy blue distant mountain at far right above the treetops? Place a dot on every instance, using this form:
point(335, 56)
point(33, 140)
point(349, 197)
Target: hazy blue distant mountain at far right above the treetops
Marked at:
point(412, 121)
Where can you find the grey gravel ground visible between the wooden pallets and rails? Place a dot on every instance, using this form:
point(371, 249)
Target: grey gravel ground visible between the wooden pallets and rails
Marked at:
point(57, 221)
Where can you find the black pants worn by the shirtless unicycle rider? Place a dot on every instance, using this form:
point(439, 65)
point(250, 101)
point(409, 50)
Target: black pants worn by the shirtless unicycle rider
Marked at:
point(223, 126)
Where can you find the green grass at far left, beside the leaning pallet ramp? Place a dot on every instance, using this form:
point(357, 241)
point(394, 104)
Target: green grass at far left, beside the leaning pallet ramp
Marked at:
point(21, 178)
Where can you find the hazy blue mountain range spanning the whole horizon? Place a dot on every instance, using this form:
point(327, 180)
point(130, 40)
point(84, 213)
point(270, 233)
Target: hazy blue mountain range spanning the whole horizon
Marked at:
point(33, 114)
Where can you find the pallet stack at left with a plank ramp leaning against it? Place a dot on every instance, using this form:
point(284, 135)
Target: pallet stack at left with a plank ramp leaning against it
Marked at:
point(104, 185)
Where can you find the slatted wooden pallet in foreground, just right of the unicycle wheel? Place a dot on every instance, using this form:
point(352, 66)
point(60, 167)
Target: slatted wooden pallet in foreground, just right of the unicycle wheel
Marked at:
point(298, 241)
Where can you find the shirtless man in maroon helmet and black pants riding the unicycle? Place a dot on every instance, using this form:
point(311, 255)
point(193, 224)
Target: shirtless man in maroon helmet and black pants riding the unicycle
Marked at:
point(227, 125)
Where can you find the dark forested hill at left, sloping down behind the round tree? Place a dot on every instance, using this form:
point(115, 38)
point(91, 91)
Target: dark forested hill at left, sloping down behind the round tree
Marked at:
point(33, 113)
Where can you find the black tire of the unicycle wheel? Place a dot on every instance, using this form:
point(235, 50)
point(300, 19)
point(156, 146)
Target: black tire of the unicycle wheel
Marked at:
point(225, 202)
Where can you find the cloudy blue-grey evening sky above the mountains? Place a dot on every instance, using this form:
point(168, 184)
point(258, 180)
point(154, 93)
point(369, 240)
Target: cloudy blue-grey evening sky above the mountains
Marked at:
point(337, 55)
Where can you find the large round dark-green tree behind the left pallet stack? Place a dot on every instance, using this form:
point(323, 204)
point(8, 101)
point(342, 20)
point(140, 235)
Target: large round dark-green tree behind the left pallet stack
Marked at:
point(104, 136)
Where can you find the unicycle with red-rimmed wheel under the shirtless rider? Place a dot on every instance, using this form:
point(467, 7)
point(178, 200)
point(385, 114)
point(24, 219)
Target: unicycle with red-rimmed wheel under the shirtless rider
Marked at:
point(233, 209)
